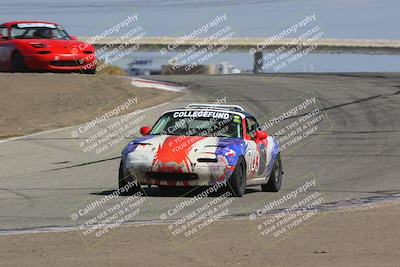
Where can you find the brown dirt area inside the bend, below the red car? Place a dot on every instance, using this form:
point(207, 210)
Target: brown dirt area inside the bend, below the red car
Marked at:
point(32, 102)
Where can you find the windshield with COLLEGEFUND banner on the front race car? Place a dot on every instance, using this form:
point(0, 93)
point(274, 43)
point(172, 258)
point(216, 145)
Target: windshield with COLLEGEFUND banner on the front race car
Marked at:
point(199, 123)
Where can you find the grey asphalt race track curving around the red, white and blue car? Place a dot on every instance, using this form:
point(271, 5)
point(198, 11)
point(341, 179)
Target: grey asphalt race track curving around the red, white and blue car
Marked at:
point(355, 158)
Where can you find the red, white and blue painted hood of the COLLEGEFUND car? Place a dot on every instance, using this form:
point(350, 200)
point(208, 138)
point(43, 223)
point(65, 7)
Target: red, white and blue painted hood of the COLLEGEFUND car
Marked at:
point(185, 150)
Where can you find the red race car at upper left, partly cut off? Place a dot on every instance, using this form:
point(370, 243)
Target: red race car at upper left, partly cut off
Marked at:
point(43, 46)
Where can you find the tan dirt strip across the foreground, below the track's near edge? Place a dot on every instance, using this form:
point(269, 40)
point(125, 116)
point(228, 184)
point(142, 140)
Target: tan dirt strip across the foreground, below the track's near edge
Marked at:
point(368, 237)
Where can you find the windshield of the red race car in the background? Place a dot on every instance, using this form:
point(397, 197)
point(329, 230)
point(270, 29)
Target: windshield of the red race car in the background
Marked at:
point(38, 31)
